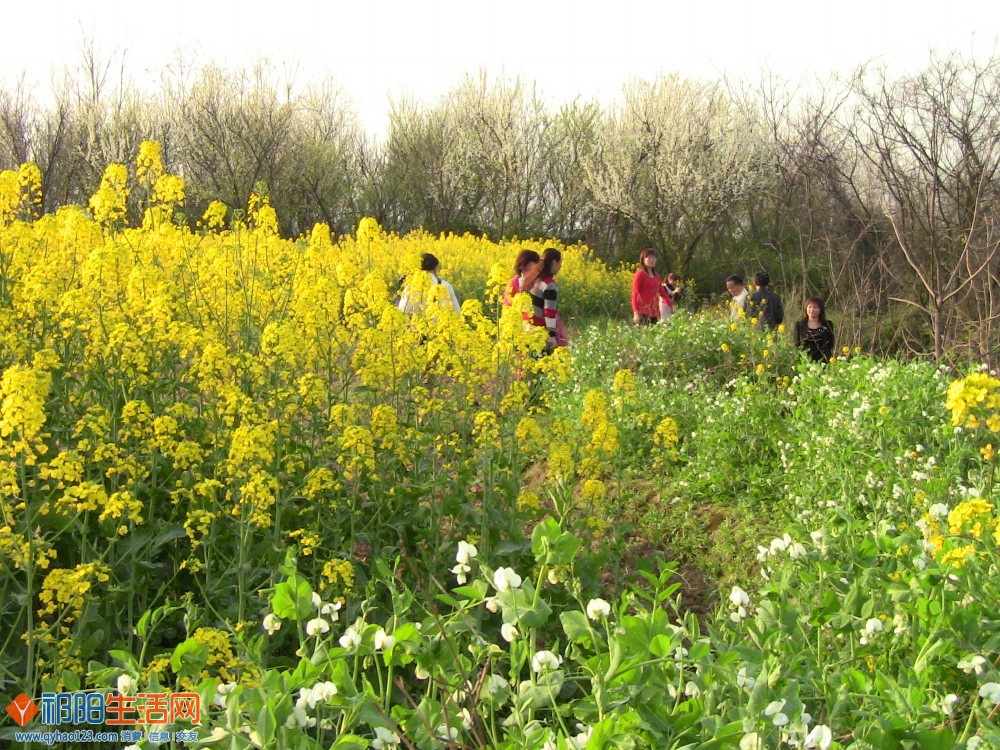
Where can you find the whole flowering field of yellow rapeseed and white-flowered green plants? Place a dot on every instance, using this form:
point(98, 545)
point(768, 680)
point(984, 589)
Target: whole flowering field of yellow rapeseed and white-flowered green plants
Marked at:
point(229, 465)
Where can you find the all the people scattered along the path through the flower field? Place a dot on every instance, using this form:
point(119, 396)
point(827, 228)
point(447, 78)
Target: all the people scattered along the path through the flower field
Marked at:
point(653, 300)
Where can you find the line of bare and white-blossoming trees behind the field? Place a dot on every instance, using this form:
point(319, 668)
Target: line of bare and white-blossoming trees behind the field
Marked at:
point(876, 192)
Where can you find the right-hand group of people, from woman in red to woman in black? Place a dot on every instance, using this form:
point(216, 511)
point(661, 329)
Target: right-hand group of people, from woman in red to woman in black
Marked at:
point(653, 300)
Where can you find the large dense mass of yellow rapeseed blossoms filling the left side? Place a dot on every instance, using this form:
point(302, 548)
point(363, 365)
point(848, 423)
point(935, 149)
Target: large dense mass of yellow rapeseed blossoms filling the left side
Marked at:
point(240, 386)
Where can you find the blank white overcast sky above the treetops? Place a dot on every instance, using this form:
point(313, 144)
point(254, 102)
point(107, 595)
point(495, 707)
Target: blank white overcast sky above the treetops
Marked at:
point(391, 48)
